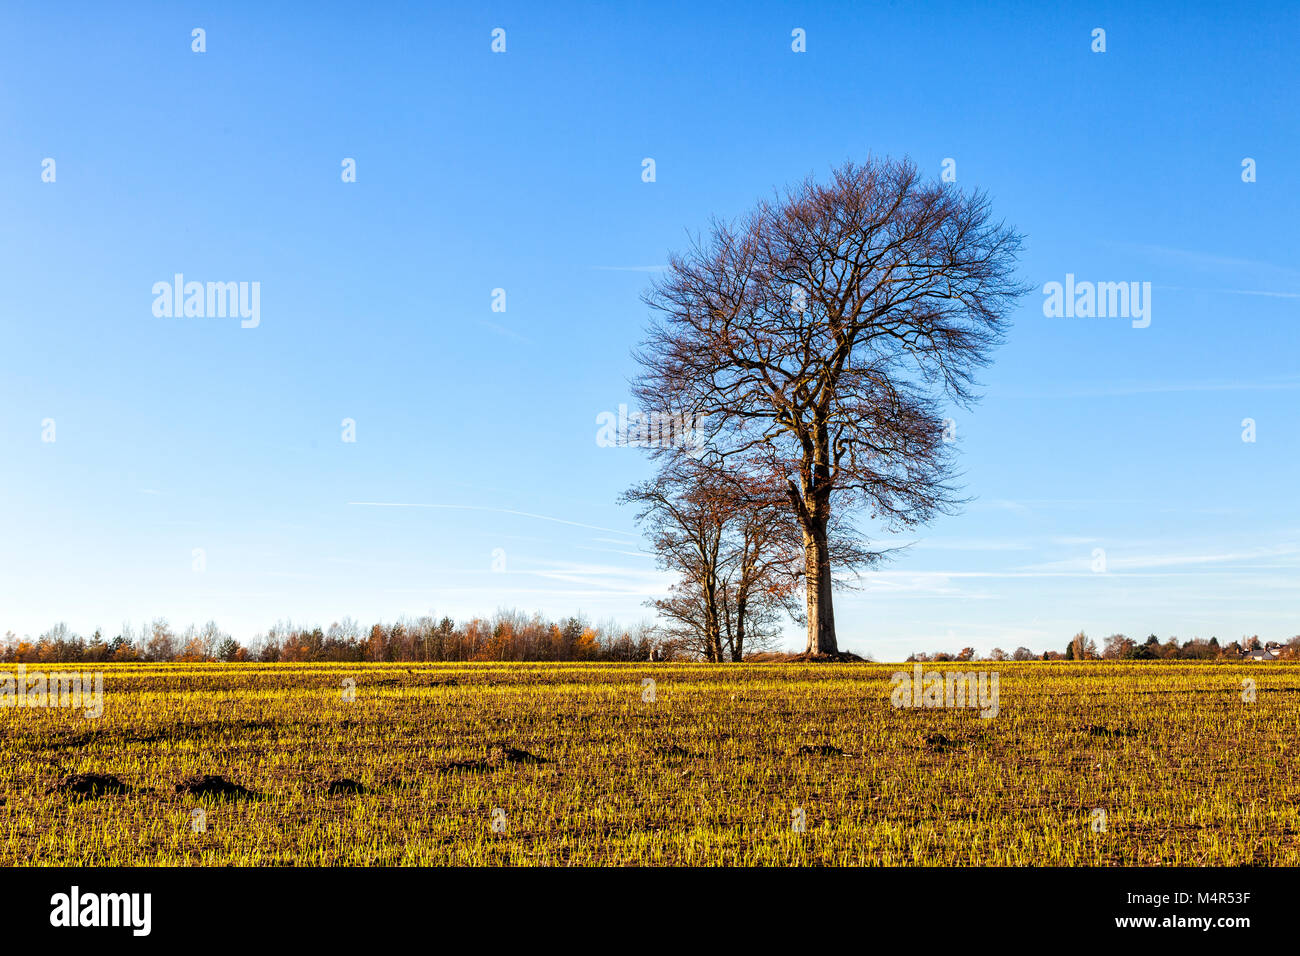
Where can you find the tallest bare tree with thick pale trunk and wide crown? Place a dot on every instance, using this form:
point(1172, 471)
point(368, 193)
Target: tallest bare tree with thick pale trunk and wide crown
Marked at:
point(818, 340)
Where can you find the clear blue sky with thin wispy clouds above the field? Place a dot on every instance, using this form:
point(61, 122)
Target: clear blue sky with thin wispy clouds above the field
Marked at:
point(479, 171)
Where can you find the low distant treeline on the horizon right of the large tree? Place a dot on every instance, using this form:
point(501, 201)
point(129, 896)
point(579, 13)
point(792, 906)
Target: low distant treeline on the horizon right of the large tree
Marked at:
point(1117, 647)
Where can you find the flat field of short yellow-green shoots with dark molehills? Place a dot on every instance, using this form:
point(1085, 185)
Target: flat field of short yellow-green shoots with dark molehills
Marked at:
point(584, 764)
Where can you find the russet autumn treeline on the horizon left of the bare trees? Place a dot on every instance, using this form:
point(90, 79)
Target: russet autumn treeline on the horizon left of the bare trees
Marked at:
point(506, 637)
